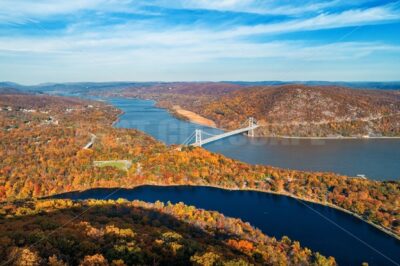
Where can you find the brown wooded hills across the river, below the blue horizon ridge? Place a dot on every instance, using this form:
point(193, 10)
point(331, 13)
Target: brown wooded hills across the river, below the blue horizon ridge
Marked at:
point(287, 110)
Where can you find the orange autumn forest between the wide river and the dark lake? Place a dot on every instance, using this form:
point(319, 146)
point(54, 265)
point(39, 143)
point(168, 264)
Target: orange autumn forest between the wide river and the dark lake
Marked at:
point(41, 153)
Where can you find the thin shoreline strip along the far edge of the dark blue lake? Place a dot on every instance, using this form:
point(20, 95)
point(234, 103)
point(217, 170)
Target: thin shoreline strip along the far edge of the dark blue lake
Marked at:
point(383, 229)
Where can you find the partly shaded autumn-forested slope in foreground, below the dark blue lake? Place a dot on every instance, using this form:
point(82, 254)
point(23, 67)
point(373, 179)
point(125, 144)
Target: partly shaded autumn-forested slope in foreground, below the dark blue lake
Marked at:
point(93, 232)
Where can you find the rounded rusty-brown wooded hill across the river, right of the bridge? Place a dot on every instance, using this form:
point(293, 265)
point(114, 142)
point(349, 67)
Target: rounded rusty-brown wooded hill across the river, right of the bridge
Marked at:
point(296, 110)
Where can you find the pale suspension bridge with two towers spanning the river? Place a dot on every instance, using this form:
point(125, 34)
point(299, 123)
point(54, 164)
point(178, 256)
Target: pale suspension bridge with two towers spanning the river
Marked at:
point(198, 135)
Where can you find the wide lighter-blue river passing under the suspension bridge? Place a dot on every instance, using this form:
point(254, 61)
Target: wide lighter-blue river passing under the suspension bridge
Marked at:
point(376, 158)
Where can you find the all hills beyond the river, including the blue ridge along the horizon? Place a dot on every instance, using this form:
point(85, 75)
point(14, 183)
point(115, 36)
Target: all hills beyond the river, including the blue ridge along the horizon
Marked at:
point(308, 109)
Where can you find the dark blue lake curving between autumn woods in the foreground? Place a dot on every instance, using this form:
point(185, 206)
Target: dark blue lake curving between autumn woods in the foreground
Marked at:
point(322, 229)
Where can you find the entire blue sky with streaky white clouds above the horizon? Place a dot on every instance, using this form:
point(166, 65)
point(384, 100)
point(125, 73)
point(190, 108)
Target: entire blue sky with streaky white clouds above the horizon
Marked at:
point(198, 40)
